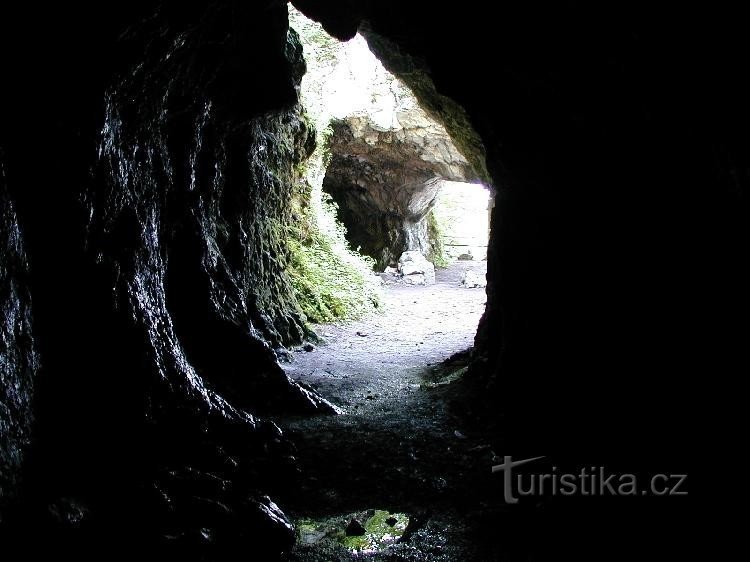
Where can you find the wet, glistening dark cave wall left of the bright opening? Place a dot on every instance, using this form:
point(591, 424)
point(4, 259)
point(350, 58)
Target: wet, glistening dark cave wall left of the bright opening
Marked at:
point(148, 154)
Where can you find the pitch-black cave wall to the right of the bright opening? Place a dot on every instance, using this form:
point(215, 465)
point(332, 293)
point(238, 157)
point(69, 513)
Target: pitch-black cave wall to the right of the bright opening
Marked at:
point(614, 139)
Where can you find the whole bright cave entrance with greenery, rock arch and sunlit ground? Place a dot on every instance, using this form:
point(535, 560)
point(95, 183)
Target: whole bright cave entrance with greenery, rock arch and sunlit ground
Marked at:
point(402, 224)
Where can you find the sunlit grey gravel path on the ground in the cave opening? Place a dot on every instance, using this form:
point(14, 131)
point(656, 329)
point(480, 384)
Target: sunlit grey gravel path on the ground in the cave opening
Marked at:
point(385, 356)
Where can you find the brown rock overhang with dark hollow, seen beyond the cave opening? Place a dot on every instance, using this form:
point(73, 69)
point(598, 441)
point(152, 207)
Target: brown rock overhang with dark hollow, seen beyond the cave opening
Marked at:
point(385, 177)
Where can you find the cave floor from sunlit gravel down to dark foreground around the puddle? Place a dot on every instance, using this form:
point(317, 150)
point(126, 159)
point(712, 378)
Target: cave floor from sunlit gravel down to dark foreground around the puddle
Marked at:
point(401, 444)
